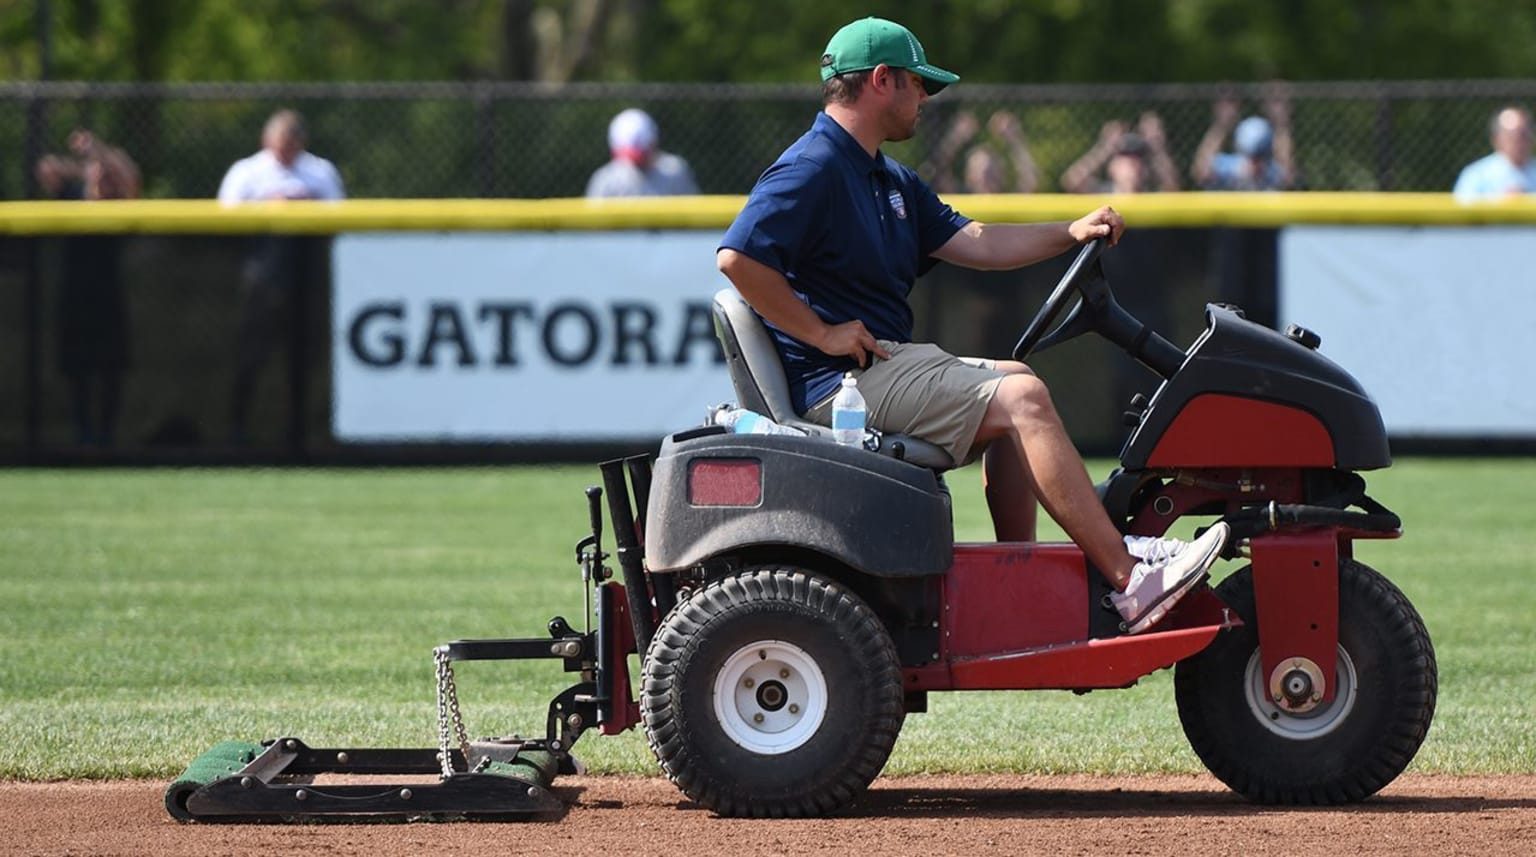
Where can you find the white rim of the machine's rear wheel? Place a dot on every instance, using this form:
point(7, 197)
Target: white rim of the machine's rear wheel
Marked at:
point(770, 697)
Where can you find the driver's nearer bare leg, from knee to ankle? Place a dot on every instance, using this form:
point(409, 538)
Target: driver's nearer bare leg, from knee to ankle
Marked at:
point(1022, 417)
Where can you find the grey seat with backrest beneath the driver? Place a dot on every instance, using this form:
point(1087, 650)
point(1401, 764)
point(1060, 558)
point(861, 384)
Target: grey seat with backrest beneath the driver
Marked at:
point(761, 386)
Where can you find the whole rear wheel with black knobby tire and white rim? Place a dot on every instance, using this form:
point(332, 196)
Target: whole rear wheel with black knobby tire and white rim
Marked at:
point(772, 693)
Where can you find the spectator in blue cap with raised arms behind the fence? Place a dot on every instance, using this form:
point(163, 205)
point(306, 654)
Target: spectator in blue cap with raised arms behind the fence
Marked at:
point(1262, 157)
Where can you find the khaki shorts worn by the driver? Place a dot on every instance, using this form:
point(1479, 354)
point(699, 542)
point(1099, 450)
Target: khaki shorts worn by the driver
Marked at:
point(927, 392)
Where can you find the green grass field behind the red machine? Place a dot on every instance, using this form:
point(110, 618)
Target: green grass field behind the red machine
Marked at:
point(150, 614)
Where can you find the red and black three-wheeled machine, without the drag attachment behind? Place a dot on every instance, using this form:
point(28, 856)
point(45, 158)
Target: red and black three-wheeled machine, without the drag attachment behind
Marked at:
point(1283, 684)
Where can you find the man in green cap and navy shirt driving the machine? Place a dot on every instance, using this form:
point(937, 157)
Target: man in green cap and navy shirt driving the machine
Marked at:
point(827, 251)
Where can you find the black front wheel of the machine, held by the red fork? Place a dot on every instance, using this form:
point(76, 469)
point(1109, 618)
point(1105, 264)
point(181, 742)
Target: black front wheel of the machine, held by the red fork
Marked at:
point(1348, 750)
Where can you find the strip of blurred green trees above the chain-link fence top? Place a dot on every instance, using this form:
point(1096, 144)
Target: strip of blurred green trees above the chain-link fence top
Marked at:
point(753, 41)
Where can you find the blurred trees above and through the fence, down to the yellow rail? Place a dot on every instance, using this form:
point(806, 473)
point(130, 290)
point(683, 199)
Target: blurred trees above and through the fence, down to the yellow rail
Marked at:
point(511, 98)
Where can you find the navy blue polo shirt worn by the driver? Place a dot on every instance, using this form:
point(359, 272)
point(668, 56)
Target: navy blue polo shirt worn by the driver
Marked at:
point(852, 234)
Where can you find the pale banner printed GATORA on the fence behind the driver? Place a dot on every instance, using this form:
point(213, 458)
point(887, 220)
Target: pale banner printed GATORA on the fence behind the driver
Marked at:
point(525, 337)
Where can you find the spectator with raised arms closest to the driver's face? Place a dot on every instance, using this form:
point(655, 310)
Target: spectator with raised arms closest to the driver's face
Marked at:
point(984, 170)
